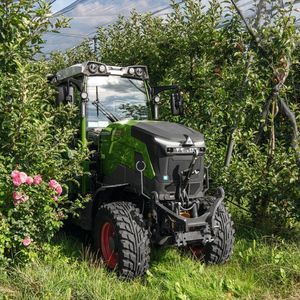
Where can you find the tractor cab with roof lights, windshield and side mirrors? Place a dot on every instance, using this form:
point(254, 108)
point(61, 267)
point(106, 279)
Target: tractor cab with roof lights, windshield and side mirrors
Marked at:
point(109, 94)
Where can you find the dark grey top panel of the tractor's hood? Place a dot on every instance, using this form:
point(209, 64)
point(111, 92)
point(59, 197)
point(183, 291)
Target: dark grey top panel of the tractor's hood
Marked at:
point(167, 134)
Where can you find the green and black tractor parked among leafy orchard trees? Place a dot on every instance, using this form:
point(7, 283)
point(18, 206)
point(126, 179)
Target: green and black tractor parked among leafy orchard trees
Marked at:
point(148, 180)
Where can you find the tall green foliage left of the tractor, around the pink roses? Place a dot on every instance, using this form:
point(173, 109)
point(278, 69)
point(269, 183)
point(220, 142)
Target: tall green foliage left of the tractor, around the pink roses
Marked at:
point(36, 137)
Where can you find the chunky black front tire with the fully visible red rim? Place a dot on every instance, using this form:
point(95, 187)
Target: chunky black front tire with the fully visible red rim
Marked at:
point(131, 246)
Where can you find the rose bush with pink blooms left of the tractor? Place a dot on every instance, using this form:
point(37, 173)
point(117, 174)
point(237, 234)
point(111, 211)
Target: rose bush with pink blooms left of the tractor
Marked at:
point(33, 208)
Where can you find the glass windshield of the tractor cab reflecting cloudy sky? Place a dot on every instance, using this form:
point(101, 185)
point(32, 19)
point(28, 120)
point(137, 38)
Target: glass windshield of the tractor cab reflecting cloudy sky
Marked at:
point(124, 98)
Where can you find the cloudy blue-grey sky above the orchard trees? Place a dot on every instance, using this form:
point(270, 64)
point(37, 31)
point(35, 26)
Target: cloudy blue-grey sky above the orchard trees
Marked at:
point(87, 15)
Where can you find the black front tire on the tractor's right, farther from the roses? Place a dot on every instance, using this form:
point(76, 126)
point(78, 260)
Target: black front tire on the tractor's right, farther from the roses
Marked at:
point(220, 249)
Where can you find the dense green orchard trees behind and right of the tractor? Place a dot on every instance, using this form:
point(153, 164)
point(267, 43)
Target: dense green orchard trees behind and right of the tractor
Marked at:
point(226, 80)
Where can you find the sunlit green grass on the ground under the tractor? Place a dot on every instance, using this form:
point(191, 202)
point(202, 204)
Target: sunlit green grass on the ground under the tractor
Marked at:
point(262, 267)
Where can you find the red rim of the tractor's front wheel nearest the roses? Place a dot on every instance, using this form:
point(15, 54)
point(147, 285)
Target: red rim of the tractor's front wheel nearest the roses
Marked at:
point(108, 245)
